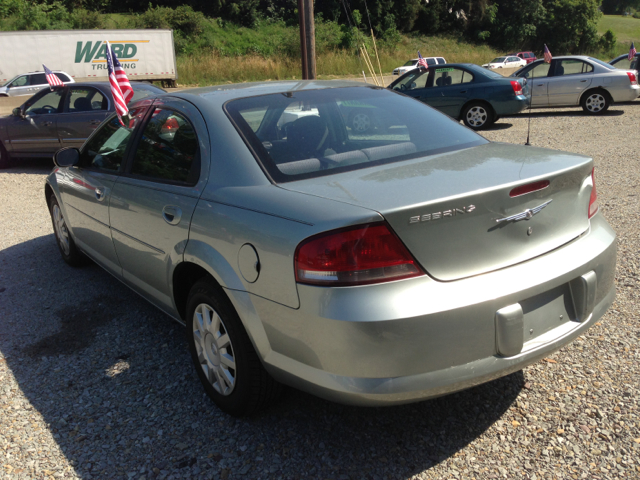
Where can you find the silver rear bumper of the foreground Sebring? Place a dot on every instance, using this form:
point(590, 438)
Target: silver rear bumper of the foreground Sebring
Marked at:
point(415, 339)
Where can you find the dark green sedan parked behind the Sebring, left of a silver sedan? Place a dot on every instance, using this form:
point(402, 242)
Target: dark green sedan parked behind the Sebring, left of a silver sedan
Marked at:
point(467, 92)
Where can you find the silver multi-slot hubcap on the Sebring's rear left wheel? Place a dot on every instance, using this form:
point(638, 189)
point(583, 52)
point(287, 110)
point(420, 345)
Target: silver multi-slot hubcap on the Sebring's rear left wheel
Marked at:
point(215, 352)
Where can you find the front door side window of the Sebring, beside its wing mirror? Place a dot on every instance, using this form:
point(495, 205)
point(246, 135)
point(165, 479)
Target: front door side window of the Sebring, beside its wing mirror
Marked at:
point(106, 148)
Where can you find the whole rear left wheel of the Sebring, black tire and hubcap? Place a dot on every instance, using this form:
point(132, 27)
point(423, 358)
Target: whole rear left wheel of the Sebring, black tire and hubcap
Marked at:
point(225, 360)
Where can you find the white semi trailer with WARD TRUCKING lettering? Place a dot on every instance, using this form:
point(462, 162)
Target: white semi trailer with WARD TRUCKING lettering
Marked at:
point(144, 54)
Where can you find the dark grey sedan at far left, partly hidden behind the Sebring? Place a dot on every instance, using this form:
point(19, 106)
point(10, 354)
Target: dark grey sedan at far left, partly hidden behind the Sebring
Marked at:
point(62, 117)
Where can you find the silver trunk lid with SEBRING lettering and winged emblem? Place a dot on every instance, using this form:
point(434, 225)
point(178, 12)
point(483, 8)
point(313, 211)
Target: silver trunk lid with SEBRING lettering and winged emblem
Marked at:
point(468, 241)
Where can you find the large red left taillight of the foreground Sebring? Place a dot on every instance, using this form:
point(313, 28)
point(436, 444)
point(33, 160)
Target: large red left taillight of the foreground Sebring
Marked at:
point(354, 256)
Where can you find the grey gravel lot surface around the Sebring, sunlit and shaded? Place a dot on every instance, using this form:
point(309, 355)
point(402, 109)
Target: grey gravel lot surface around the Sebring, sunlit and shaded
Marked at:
point(96, 383)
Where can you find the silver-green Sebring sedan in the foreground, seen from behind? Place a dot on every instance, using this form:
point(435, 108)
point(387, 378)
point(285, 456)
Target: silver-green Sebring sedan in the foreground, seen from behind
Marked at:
point(370, 268)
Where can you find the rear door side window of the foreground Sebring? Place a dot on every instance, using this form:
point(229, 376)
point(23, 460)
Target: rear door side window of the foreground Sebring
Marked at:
point(168, 149)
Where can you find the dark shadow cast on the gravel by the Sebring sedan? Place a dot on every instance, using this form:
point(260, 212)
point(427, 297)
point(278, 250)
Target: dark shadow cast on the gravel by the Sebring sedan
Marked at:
point(111, 378)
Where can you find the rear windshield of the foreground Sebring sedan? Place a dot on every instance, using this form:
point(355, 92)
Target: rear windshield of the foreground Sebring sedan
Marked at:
point(305, 134)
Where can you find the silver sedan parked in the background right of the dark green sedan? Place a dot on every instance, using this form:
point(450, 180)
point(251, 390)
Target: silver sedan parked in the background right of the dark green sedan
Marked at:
point(573, 81)
